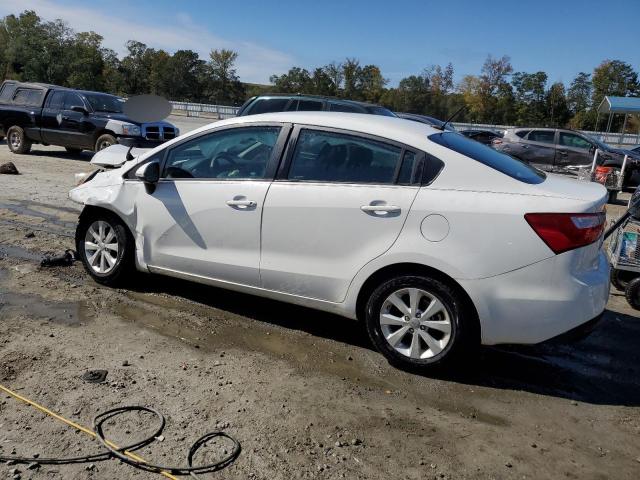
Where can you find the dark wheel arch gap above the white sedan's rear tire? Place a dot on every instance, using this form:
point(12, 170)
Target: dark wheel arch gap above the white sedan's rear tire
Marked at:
point(408, 268)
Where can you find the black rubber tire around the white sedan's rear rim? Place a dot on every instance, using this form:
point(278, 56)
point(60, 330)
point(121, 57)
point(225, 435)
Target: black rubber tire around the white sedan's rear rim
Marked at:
point(462, 337)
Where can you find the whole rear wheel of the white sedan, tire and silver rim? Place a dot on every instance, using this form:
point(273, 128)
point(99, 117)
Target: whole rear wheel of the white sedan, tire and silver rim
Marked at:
point(418, 322)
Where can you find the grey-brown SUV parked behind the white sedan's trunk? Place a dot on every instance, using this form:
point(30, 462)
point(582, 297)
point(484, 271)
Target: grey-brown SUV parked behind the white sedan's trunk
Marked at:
point(558, 150)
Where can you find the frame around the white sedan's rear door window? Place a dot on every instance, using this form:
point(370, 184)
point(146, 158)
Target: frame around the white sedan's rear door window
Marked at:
point(287, 159)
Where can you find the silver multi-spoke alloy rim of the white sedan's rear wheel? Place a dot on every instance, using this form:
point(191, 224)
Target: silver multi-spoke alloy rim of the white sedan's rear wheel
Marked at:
point(415, 323)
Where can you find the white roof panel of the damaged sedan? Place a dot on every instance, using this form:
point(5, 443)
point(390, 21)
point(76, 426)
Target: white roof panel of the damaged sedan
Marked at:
point(394, 128)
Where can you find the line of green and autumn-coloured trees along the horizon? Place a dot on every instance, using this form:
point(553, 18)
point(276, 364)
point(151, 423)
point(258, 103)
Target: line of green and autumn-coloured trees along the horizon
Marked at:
point(49, 51)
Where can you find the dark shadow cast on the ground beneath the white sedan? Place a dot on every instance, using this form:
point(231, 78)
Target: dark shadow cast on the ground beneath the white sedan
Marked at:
point(602, 369)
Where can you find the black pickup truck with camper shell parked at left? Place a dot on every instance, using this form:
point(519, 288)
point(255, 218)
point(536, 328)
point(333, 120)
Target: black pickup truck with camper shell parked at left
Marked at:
point(75, 119)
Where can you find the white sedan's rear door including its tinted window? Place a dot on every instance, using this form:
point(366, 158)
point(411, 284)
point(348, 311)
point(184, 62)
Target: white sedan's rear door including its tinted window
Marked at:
point(339, 201)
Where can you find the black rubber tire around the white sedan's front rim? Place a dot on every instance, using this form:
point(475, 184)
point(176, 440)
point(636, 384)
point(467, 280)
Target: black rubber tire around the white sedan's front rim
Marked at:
point(124, 263)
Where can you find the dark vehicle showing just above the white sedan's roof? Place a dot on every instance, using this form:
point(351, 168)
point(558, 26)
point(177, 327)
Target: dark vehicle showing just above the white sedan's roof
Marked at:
point(308, 103)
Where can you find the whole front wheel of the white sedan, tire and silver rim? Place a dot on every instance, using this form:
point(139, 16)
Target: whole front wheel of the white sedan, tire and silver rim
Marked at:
point(105, 247)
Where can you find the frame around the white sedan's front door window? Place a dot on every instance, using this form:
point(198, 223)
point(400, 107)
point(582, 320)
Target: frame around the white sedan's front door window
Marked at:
point(272, 164)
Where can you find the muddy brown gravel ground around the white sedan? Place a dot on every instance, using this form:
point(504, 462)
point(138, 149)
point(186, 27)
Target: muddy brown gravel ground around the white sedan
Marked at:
point(303, 391)
